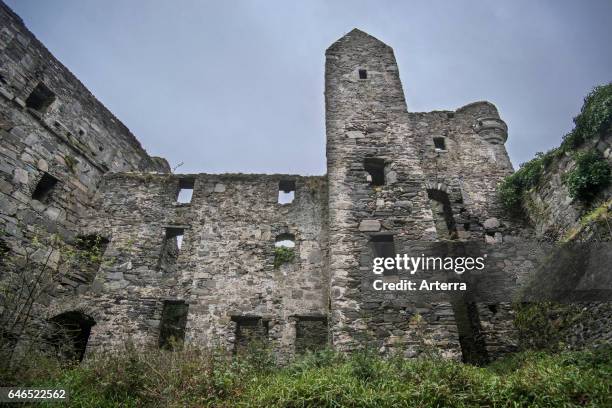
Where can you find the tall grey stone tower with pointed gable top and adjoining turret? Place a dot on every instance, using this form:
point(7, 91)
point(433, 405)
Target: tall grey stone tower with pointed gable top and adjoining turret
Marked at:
point(397, 180)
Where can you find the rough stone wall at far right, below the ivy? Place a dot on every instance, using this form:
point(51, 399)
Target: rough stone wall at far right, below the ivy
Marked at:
point(555, 216)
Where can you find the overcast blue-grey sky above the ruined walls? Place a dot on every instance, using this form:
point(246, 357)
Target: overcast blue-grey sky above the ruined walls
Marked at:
point(237, 86)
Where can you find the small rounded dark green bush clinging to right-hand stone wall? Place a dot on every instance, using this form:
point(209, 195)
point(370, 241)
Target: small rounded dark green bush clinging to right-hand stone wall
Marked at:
point(589, 176)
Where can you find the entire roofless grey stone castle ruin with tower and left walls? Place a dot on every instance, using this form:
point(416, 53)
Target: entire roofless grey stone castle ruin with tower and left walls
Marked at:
point(251, 258)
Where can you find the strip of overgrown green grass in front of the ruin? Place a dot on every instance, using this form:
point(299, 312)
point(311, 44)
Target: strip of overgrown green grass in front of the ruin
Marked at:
point(326, 379)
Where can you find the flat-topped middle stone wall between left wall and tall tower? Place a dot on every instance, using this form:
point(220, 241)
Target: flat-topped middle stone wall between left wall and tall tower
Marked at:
point(225, 268)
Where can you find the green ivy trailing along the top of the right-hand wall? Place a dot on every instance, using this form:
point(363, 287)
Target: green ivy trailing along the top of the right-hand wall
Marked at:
point(594, 120)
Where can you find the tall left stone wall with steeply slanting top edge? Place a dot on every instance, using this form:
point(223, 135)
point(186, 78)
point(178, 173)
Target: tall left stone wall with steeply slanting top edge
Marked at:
point(57, 141)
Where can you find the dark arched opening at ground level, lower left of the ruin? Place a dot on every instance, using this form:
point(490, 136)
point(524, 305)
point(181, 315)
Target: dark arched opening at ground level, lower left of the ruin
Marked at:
point(70, 333)
